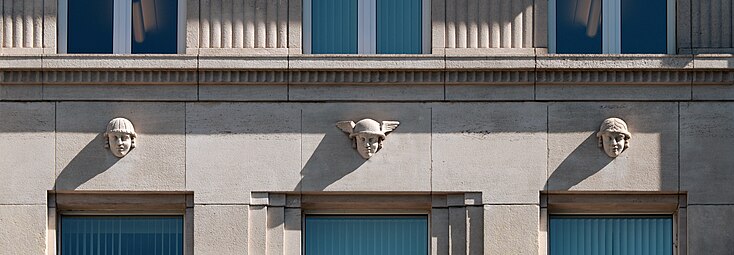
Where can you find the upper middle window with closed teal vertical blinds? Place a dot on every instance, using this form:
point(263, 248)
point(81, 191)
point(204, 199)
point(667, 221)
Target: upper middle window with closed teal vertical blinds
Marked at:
point(366, 26)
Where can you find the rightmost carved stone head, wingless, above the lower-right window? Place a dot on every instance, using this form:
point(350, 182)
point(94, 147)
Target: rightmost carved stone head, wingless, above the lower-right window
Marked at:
point(613, 136)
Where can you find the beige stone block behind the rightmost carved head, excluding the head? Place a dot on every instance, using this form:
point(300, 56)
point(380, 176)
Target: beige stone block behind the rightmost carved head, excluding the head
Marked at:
point(575, 161)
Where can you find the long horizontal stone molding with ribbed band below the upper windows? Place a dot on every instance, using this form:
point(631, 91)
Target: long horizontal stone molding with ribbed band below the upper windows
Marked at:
point(350, 70)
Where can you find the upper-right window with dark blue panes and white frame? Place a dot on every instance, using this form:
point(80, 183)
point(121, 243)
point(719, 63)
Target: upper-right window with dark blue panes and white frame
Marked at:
point(611, 26)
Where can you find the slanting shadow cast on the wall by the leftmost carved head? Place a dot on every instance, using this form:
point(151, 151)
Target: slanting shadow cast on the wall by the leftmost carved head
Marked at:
point(91, 161)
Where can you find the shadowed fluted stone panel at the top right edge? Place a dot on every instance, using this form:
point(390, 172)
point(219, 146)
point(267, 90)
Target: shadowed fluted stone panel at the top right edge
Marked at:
point(712, 23)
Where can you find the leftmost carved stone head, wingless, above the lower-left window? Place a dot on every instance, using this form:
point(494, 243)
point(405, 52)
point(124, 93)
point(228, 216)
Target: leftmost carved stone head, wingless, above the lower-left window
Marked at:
point(120, 136)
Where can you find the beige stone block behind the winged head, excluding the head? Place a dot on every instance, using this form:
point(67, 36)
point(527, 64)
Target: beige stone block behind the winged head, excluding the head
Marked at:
point(331, 164)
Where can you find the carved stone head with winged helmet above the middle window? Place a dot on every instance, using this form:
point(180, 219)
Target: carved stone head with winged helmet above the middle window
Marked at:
point(367, 134)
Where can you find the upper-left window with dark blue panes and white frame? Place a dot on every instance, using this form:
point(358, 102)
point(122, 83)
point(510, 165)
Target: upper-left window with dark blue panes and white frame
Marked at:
point(120, 26)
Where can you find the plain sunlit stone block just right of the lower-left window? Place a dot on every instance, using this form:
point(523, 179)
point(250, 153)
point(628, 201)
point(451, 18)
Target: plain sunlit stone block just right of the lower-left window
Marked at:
point(220, 229)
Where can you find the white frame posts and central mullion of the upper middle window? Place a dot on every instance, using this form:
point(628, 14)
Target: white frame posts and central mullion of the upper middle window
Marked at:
point(367, 27)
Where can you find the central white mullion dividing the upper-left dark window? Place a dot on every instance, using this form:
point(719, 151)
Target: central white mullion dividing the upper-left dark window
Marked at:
point(122, 28)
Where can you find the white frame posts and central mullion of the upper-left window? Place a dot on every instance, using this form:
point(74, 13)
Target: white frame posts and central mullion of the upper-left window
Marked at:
point(121, 27)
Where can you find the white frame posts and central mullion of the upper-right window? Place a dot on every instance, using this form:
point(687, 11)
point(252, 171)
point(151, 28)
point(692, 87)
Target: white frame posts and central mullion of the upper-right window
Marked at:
point(612, 26)
